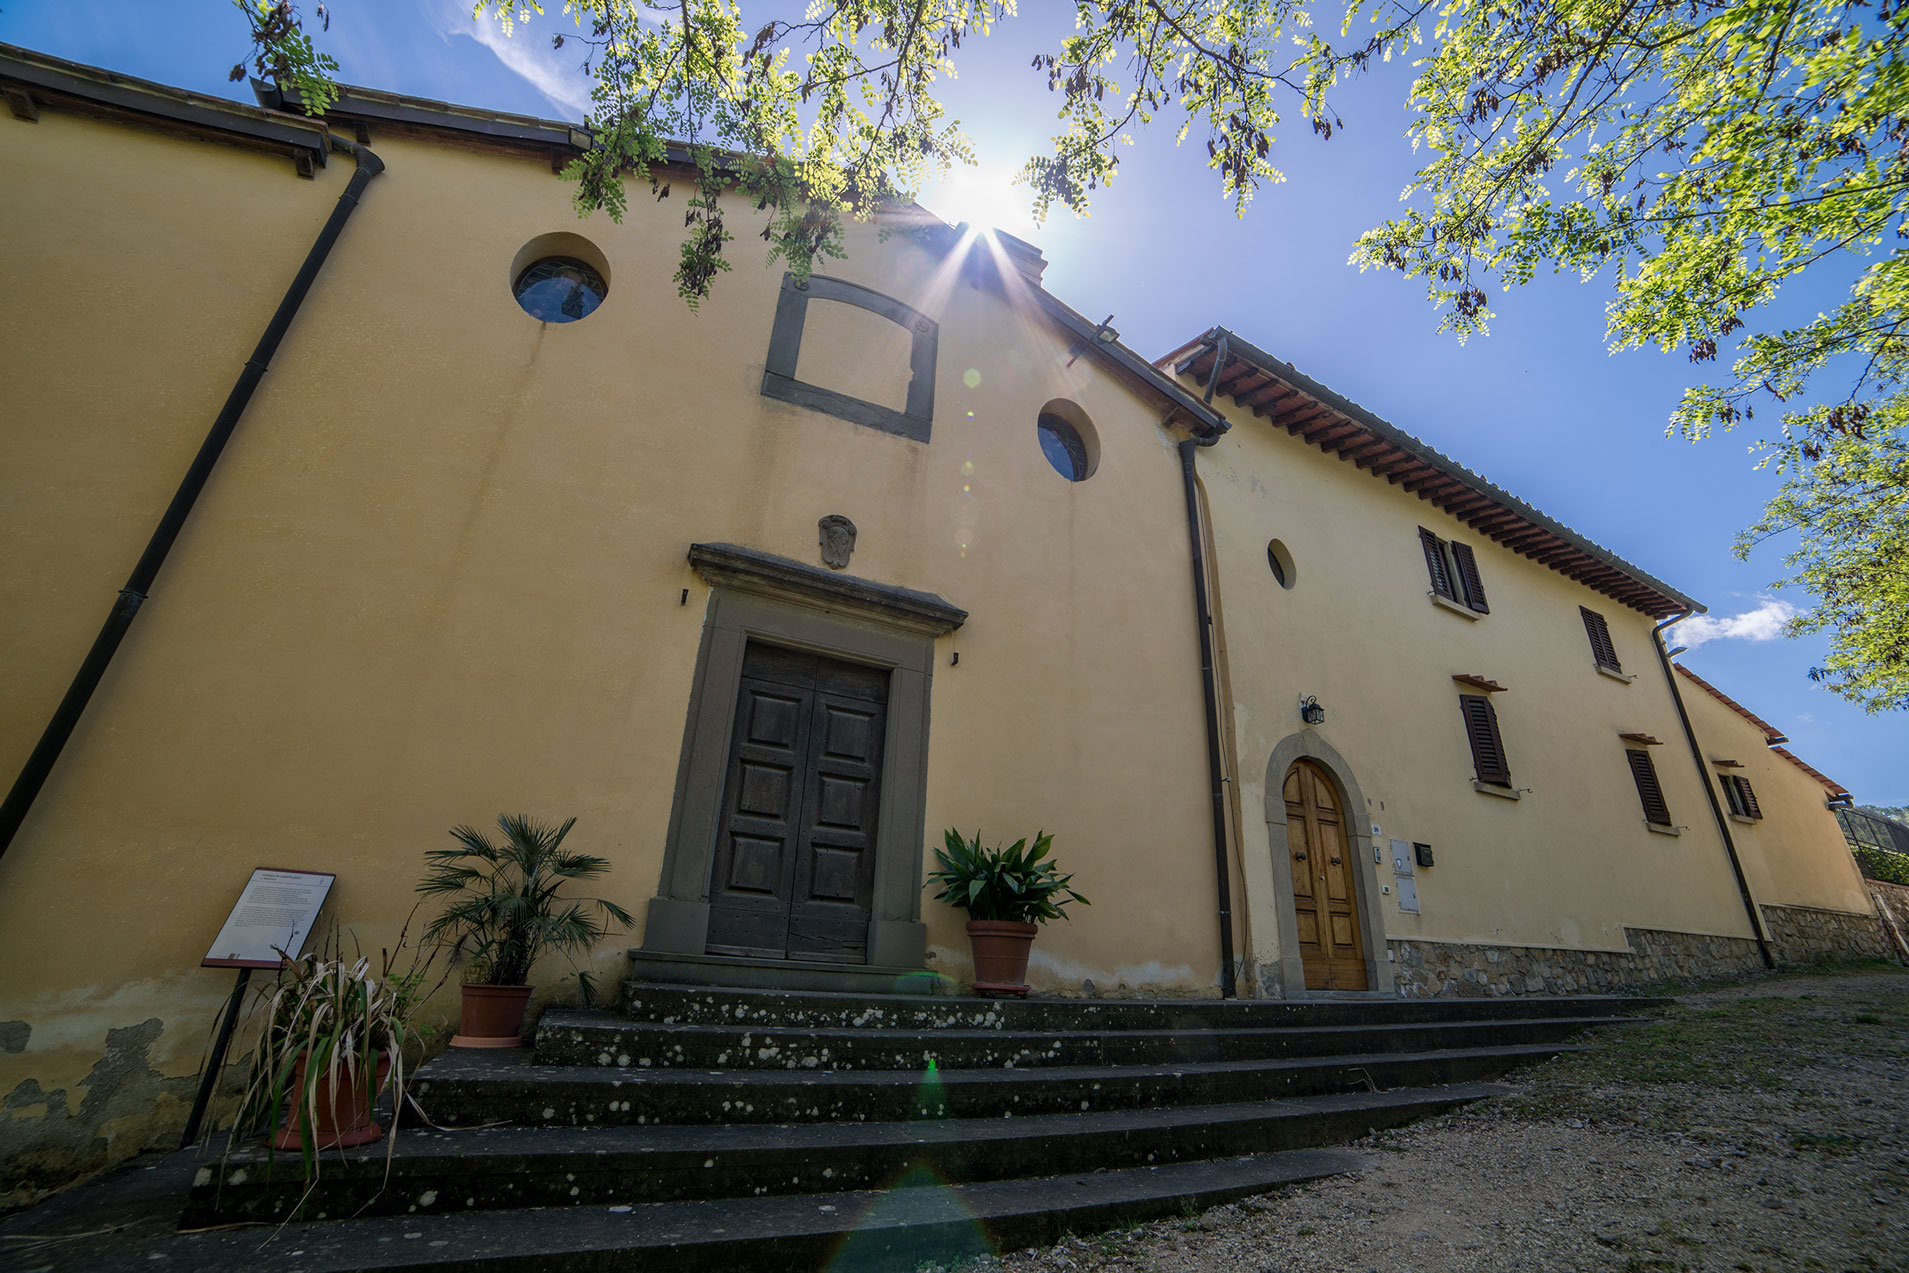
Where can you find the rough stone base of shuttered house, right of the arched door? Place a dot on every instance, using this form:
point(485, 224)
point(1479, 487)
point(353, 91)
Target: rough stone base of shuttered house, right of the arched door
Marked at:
point(1427, 969)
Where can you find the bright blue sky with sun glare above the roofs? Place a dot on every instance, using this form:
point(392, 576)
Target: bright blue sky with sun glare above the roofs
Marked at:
point(1540, 406)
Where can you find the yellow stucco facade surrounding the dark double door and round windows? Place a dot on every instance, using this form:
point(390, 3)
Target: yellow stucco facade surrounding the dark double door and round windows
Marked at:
point(438, 572)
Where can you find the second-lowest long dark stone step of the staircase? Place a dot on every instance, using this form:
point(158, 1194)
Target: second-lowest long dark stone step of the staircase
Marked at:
point(495, 1169)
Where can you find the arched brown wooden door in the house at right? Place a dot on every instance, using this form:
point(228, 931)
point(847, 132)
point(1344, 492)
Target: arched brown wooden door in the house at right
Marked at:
point(1326, 896)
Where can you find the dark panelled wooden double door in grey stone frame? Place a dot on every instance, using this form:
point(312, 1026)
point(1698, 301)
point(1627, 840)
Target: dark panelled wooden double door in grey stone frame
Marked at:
point(795, 858)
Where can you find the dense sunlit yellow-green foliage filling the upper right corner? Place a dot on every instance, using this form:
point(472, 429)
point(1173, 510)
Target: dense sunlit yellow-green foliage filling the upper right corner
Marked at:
point(1706, 156)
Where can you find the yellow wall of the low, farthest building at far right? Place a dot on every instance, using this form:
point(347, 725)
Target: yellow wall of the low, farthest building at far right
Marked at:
point(1795, 856)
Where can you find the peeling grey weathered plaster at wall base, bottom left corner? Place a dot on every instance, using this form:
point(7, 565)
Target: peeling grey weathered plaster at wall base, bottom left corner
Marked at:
point(129, 1106)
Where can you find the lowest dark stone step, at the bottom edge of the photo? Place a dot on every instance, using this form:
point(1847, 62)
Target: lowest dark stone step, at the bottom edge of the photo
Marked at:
point(782, 1234)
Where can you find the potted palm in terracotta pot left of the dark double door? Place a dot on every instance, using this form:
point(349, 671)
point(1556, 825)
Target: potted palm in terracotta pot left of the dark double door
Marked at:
point(505, 915)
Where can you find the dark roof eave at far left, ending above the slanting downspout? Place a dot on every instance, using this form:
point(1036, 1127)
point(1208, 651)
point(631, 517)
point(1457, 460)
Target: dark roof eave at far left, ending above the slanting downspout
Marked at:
point(31, 79)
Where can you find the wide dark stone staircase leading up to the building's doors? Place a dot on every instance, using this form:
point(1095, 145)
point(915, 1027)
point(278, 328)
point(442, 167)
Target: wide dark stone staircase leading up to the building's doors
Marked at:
point(801, 1131)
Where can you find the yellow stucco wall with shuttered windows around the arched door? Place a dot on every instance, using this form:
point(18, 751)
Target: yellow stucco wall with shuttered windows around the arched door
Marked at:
point(1570, 864)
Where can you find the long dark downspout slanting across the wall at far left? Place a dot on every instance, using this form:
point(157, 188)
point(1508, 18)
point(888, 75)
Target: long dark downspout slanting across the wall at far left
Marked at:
point(140, 583)
